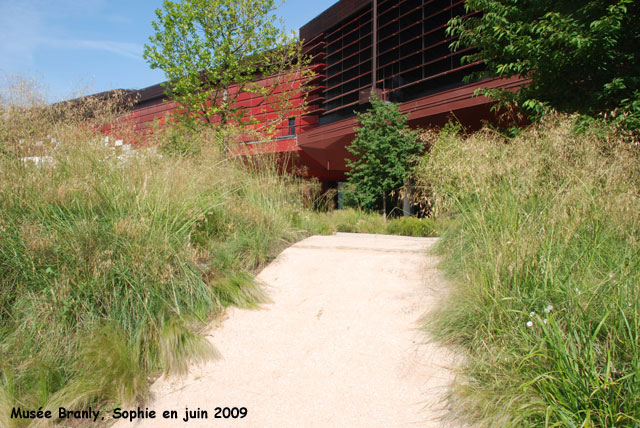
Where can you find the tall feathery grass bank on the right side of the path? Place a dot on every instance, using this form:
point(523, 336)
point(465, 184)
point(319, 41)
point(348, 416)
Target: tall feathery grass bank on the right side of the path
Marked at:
point(544, 250)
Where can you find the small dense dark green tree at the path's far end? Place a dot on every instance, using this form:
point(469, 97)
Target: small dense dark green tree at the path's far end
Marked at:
point(385, 151)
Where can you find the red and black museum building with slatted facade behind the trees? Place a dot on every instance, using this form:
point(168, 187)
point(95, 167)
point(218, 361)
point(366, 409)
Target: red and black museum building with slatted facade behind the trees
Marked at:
point(339, 40)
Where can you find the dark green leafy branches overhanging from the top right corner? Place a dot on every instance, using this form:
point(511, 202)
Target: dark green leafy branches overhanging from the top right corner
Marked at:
point(581, 56)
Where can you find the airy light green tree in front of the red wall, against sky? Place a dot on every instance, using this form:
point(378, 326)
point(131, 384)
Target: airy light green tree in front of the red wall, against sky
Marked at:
point(214, 52)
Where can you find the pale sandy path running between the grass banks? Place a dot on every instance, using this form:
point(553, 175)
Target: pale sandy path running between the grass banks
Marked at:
point(337, 347)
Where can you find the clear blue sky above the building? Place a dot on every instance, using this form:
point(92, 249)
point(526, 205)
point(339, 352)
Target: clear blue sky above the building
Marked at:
point(86, 46)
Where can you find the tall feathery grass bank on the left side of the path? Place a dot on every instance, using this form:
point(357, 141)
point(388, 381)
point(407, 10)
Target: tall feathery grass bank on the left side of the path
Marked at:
point(109, 264)
